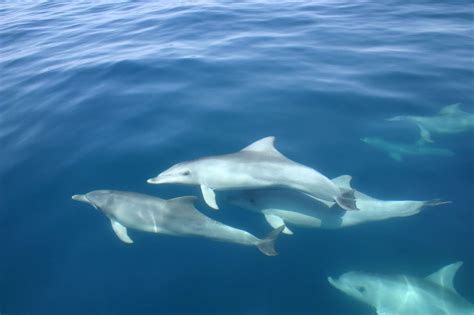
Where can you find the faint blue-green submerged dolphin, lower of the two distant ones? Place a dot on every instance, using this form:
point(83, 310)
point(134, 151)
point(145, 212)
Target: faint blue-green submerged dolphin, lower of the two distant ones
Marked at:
point(397, 150)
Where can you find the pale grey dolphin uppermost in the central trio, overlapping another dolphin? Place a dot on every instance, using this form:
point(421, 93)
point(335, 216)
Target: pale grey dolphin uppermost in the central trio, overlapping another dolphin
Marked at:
point(256, 166)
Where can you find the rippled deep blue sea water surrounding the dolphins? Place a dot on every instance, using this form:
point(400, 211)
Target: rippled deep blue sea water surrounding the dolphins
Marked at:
point(105, 95)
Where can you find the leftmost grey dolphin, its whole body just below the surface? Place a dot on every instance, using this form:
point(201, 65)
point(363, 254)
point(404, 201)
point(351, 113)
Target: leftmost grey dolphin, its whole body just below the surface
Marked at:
point(176, 216)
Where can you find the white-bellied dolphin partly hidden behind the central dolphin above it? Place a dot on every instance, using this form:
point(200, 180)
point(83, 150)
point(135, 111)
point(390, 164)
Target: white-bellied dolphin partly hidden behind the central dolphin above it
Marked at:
point(283, 206)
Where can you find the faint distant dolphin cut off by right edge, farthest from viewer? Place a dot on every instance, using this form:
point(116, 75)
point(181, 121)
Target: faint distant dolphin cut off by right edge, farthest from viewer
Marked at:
point(450, 119)
